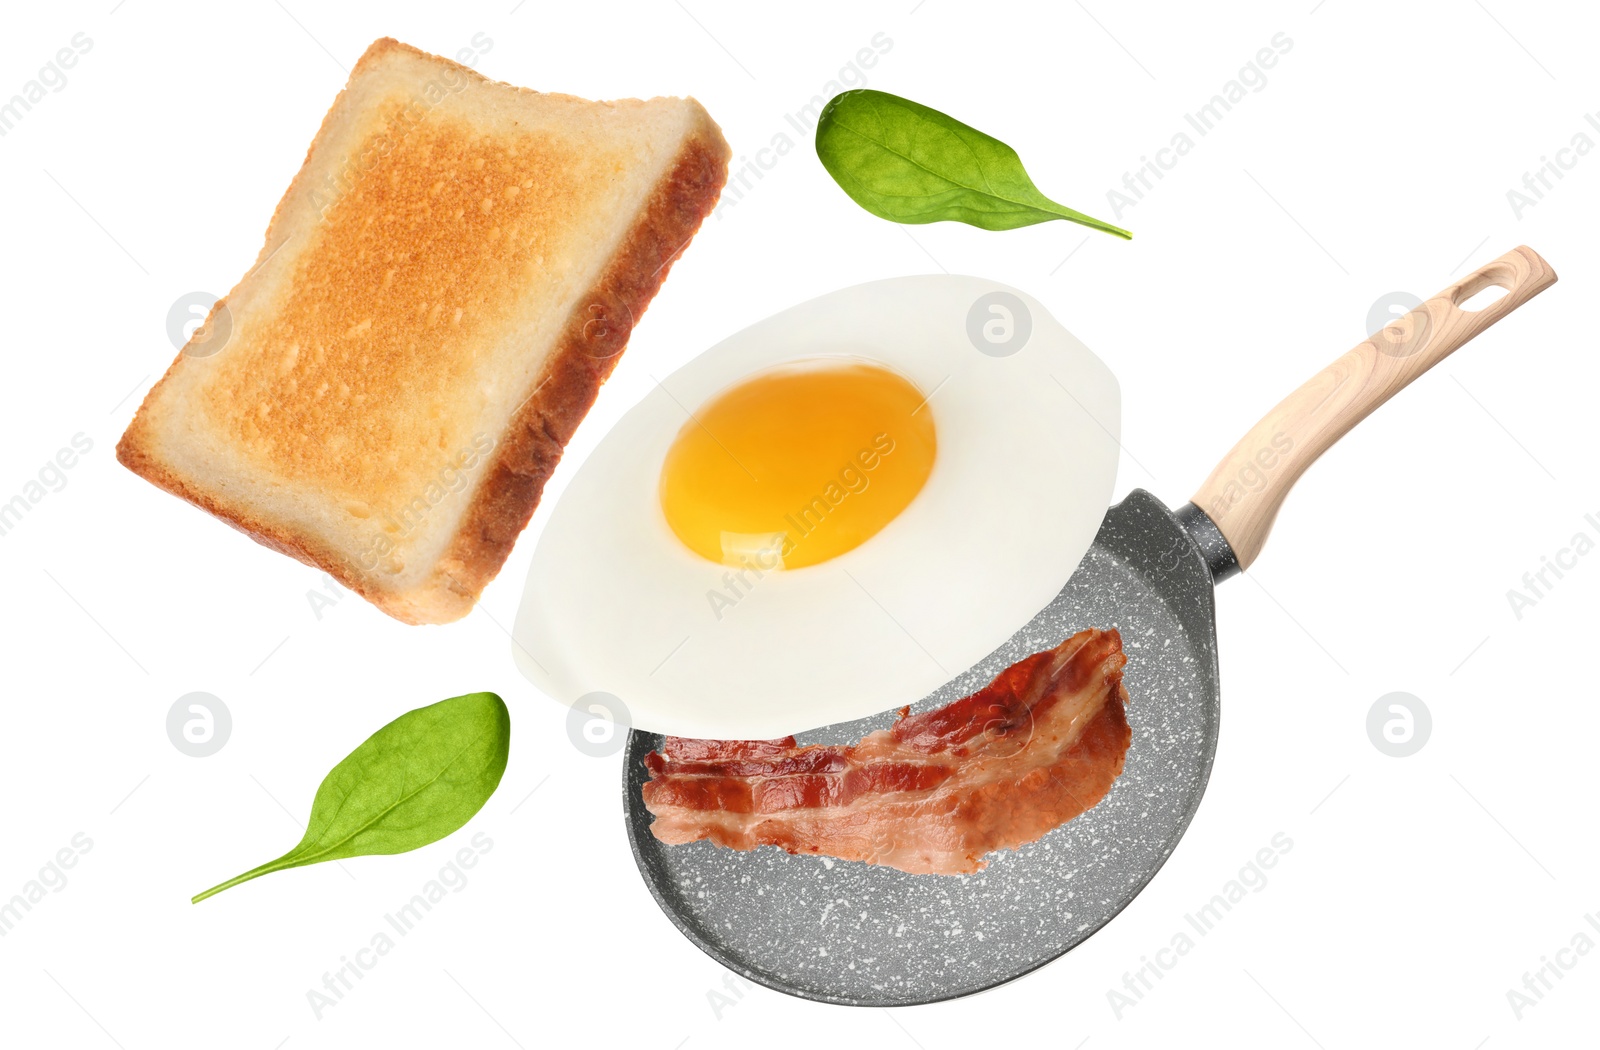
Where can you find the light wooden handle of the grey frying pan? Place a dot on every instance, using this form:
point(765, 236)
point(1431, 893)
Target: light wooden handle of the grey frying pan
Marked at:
point(1247, 489)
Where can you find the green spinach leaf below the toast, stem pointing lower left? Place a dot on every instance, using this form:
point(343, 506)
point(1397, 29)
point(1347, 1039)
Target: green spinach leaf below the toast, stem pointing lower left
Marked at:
point(410, 783)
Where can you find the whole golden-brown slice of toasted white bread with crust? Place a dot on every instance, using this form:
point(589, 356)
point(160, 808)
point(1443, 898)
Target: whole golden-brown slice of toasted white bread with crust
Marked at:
point(442, 292)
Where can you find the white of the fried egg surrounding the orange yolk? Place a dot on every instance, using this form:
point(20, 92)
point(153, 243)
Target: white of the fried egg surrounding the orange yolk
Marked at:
point(1026, 462)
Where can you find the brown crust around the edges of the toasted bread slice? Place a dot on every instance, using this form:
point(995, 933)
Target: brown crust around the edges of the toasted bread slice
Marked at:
point(526, 455)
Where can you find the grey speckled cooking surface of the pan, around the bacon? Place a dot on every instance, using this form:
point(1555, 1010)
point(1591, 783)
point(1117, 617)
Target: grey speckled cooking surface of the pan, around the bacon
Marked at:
point(865, 936)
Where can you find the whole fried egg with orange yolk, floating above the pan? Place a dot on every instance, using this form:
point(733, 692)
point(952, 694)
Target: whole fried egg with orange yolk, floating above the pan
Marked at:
point(825, 516)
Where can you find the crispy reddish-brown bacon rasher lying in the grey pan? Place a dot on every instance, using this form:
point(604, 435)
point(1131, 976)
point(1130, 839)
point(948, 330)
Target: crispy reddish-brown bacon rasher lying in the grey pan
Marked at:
point(930, 795)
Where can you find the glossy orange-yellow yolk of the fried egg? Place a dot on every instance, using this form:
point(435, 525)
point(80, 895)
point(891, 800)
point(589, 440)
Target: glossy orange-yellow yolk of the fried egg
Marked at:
point(798, 465)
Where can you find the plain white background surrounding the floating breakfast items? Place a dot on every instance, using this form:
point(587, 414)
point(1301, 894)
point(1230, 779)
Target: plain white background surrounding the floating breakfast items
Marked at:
point(1377, 159)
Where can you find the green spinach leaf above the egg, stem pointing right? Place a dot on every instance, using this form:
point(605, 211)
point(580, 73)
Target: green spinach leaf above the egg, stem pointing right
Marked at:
point(910, 164)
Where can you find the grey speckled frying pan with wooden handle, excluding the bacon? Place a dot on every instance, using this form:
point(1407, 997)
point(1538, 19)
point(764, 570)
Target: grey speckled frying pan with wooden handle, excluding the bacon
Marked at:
point(858, 934)
